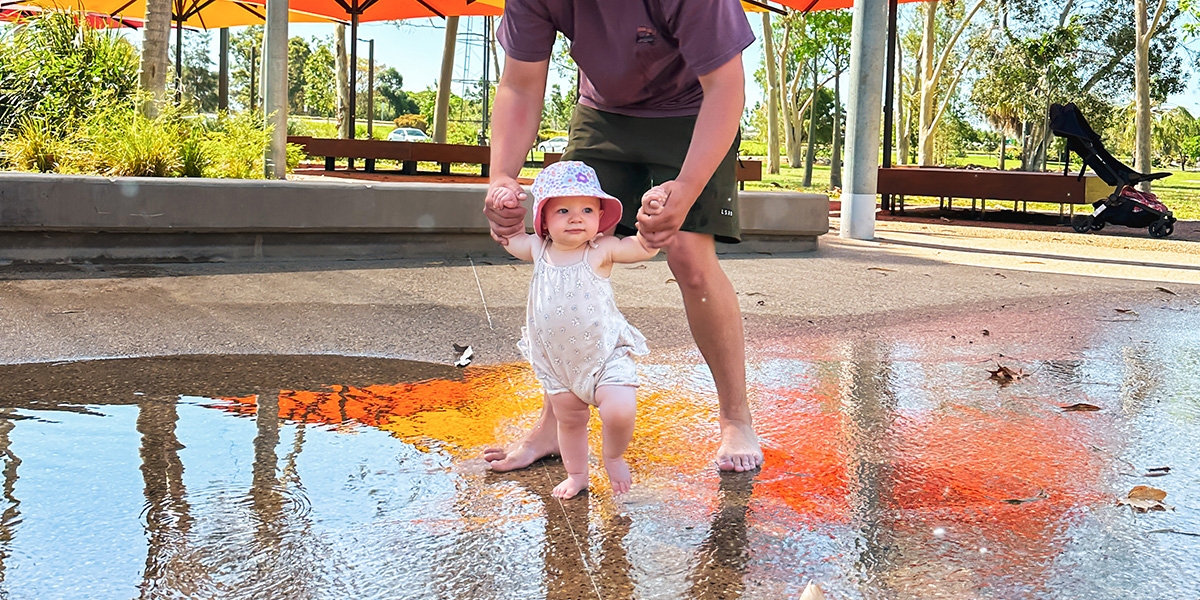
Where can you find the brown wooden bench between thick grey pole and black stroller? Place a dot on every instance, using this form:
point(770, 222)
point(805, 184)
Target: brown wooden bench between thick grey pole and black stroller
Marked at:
point(983, 185)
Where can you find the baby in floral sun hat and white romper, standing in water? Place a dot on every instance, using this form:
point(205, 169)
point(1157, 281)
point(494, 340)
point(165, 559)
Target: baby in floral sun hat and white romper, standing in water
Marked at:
point(579, 344)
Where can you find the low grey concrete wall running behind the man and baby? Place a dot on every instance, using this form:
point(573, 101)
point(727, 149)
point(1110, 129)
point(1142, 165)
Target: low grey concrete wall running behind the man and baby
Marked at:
point(49, 219)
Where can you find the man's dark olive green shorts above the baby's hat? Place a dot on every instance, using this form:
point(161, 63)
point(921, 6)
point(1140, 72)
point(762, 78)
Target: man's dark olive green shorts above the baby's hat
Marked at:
point(632, 154)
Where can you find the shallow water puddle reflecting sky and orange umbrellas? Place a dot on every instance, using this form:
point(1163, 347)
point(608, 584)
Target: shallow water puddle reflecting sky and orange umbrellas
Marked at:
point(896, 470)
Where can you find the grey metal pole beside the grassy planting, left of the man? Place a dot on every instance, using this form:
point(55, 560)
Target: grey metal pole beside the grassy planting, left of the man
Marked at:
point(275, 88)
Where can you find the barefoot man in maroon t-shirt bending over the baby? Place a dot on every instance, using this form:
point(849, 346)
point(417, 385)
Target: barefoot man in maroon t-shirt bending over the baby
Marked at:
point(662, 92)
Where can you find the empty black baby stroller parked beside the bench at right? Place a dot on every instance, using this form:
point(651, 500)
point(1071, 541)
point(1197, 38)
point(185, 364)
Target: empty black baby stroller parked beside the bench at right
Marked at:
point(1126, 206)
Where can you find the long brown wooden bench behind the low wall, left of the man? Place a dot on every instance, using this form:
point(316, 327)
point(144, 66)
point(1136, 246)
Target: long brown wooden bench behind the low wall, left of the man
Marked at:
point(407, 153)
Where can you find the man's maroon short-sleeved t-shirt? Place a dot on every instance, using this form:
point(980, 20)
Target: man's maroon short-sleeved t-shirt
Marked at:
point(638, 58)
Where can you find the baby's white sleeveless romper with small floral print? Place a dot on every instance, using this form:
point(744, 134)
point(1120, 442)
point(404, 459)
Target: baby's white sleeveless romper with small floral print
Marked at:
point(575, 338)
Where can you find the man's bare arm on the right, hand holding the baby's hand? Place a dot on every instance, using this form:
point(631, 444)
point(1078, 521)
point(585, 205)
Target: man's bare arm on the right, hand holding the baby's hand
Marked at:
point(717, 125)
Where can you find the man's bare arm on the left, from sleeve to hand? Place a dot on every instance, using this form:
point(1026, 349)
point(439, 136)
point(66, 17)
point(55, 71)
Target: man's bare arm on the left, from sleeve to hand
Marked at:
point(515, 121)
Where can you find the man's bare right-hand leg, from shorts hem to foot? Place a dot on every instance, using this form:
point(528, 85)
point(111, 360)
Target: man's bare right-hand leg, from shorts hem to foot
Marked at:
point(716, 321)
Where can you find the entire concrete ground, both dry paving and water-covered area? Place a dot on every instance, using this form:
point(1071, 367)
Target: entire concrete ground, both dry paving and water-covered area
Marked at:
point(897, 469)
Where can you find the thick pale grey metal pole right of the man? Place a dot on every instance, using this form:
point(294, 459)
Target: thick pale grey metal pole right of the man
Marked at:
point(867, 64)
